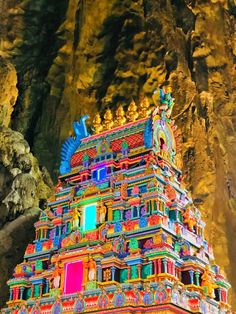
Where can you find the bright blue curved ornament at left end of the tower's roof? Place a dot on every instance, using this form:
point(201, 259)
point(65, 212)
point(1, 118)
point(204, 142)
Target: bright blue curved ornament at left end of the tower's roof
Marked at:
point(72, 143)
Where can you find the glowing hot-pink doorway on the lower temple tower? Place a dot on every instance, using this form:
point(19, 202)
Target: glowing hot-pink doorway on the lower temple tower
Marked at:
point(73, 277)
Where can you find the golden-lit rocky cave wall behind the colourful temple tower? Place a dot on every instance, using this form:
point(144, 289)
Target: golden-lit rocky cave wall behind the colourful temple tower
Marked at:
point(77, 56)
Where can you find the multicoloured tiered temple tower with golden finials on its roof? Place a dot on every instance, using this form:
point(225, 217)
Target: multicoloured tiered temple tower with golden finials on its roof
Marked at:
point(121, 234)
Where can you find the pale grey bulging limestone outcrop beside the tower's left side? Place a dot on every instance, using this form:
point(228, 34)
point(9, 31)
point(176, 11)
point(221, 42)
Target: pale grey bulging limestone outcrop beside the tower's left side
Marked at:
point(23, 188)
